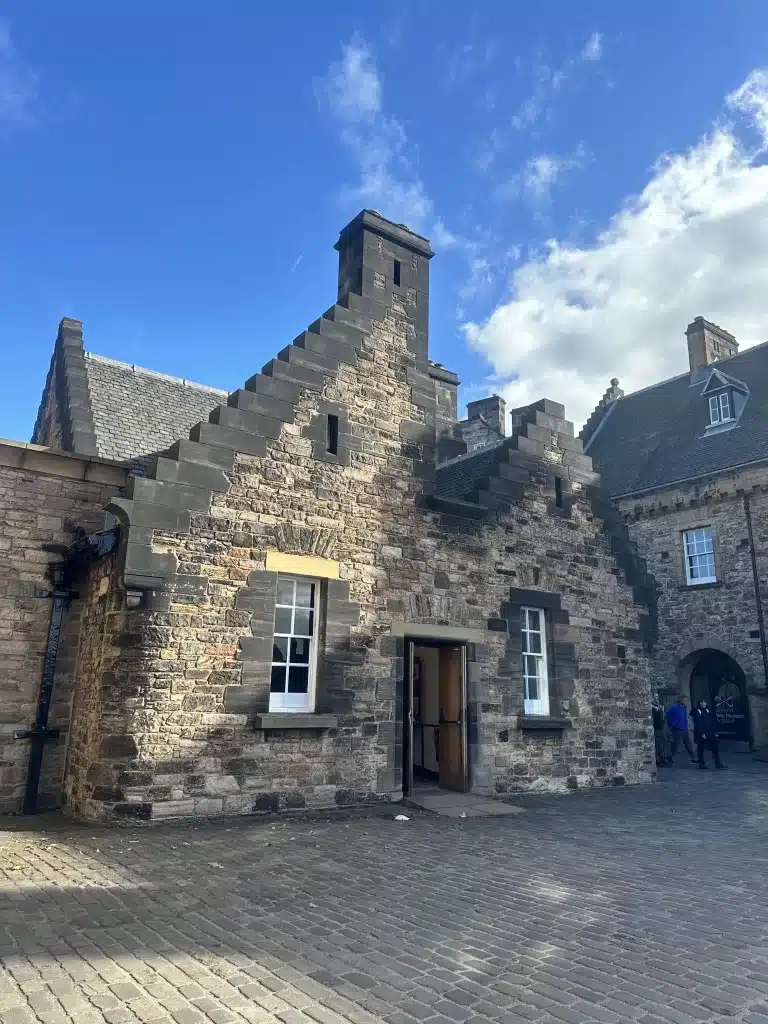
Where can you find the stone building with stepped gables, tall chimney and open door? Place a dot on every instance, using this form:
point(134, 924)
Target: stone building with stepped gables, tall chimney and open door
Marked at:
point(322, 589)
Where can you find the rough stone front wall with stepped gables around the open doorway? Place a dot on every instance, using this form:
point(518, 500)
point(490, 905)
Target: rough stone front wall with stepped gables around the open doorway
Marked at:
point(188, 732)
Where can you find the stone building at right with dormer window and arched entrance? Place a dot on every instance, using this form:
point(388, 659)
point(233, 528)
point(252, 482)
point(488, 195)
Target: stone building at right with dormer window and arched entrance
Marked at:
point(687, 464)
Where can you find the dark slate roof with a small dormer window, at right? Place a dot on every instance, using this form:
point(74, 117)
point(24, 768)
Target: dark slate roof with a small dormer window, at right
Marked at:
point(657, 438)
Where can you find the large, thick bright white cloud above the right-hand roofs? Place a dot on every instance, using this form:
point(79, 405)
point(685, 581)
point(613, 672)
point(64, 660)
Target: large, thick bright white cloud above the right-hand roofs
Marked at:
point(693, 243)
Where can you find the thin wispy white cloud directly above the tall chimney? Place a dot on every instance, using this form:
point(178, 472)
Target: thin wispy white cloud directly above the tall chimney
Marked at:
point(353, 93)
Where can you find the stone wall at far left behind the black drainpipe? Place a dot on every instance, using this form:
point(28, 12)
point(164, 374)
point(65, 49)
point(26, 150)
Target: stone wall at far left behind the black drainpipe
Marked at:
point(45, 495)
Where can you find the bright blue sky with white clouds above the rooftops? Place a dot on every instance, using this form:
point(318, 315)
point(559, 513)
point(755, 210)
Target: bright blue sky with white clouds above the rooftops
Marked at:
point(592, 177)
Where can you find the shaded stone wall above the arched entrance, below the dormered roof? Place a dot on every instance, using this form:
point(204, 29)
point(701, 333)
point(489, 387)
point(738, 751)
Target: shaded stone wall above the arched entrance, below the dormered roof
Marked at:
point(721, 616)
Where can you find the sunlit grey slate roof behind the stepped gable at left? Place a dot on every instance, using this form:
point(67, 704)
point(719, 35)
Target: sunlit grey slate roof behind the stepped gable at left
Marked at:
point(138, 412)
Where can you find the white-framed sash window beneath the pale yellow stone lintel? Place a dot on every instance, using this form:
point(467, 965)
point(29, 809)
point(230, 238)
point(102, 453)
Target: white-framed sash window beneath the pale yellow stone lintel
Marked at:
point(294, 645)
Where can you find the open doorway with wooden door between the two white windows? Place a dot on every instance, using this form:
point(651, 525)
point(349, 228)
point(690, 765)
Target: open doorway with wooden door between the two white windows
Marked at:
point(436, 721)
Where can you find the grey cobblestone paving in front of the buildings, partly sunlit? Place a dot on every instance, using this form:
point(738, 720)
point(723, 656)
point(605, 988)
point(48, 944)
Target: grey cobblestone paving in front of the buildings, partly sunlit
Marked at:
point(646, 905)
